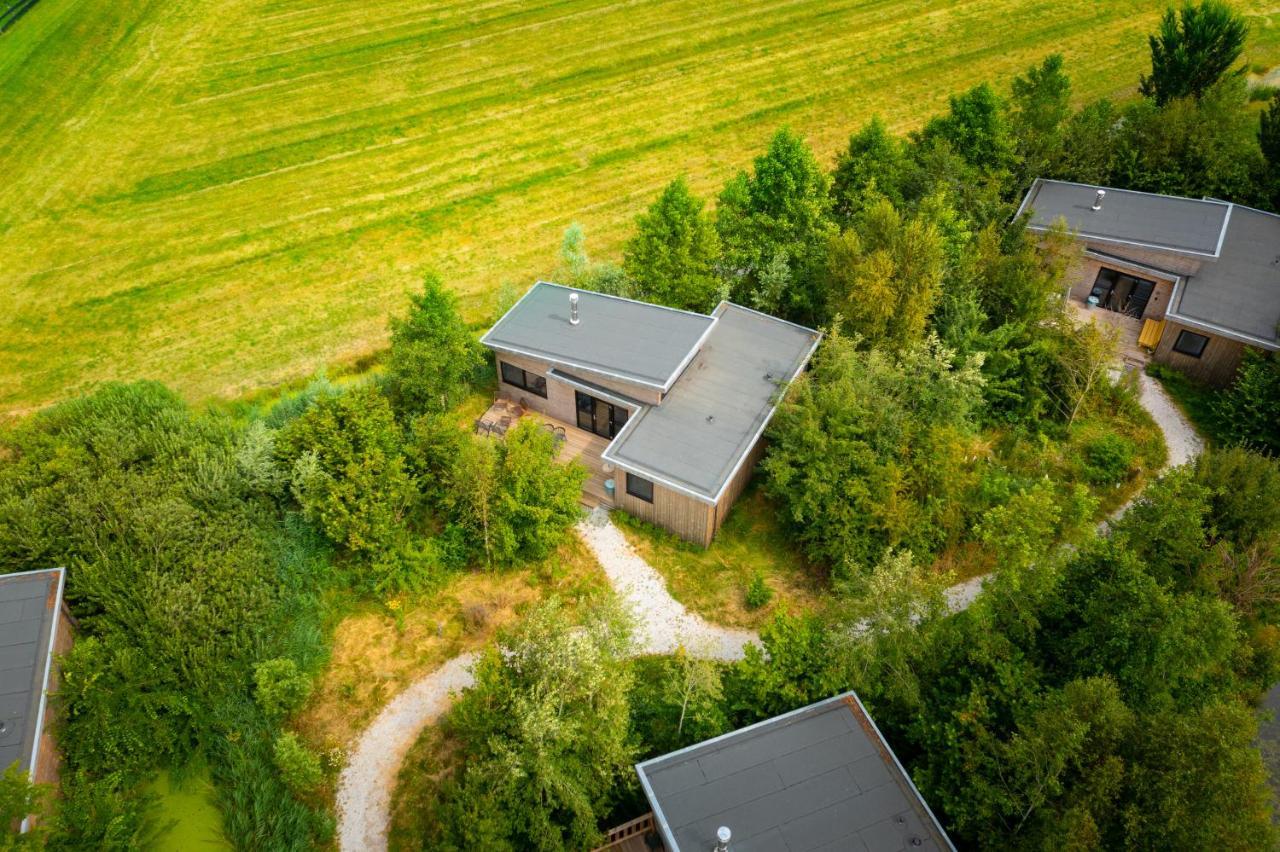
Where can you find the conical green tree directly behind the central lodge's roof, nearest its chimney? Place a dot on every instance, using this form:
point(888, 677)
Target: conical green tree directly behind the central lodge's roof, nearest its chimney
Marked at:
point(674, 254)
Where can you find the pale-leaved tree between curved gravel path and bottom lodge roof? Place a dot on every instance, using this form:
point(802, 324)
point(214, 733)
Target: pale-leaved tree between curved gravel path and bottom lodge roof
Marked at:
point(543, 732)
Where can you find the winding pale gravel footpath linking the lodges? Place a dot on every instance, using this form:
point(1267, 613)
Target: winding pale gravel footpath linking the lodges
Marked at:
point(662, 625)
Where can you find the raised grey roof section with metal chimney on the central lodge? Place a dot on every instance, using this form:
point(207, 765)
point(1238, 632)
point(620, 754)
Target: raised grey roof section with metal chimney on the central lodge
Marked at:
point(632, 341)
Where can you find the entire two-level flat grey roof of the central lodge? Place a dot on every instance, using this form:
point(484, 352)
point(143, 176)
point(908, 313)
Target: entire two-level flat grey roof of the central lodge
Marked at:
point(723, 374)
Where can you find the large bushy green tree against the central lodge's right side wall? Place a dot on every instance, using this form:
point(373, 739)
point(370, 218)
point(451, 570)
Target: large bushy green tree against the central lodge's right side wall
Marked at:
point(867, 452)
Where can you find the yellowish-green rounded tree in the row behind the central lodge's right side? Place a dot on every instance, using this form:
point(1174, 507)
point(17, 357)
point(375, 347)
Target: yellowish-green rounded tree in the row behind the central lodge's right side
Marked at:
point(885, 276)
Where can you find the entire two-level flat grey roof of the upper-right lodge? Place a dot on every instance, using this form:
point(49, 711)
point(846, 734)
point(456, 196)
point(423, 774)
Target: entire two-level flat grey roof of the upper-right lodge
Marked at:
point(1237, 290)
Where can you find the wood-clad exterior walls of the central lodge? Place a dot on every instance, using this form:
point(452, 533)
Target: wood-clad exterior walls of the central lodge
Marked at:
point(688, 517)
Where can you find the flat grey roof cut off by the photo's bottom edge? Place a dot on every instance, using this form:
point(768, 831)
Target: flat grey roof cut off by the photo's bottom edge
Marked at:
point(817, 778)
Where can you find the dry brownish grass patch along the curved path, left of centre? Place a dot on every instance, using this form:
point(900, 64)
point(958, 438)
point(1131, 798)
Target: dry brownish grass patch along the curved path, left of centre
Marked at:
point(378, 653)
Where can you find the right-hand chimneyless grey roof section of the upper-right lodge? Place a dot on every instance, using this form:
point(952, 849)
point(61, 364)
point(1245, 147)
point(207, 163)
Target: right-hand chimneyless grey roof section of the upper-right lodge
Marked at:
point(1241, 291)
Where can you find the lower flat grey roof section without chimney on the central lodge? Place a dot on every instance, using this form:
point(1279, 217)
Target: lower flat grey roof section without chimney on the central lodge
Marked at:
point(711, 419)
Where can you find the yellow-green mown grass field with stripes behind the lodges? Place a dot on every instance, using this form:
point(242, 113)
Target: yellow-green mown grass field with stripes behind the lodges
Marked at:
point(228, 195)
